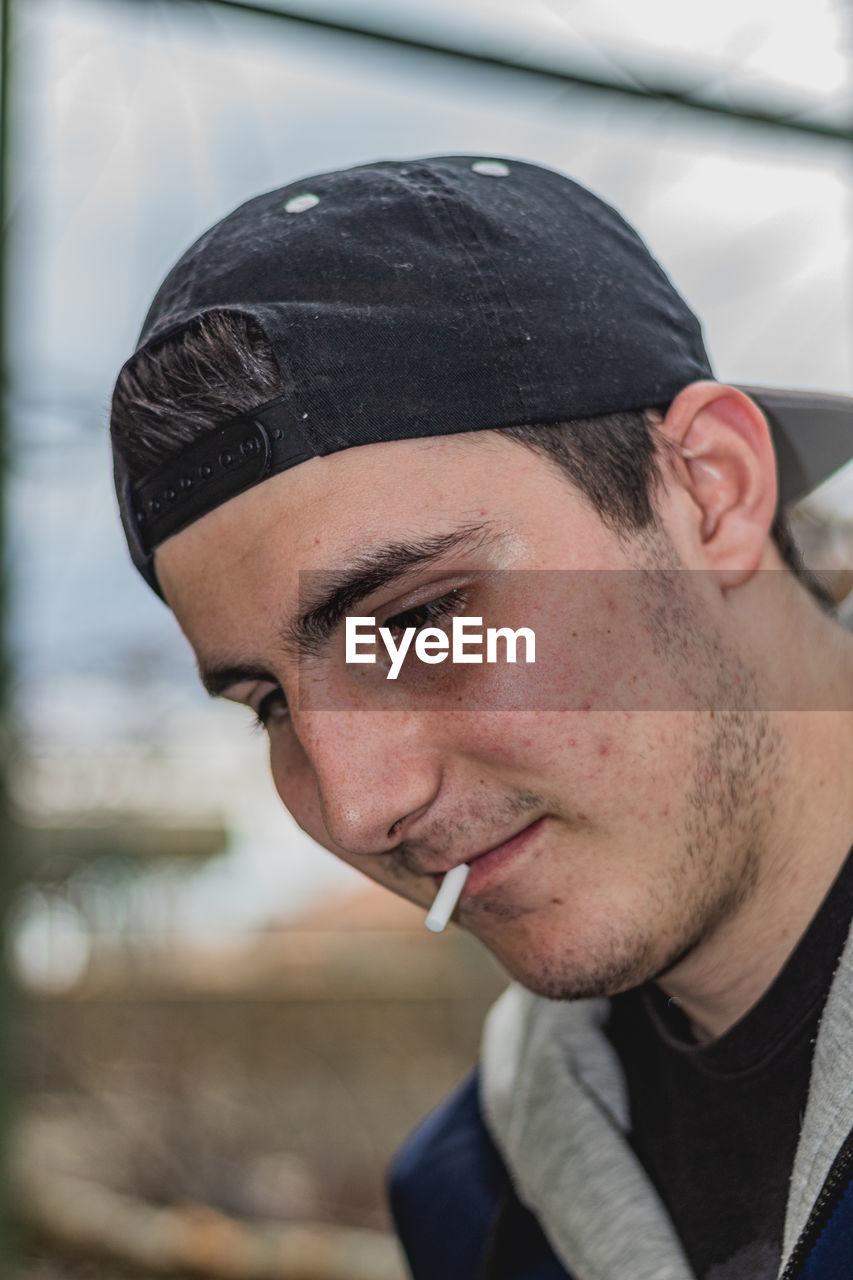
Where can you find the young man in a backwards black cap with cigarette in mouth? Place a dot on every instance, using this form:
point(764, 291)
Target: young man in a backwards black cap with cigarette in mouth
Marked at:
point(463, 388)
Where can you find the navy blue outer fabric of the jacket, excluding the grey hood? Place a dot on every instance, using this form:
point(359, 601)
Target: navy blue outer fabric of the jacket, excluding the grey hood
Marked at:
point(459, 1218)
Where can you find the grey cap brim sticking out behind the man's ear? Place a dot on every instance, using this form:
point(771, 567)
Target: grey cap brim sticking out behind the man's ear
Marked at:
point(813, 435)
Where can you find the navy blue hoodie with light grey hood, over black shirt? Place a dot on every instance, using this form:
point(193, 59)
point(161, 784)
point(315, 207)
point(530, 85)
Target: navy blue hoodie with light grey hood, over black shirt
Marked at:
point(527, 1172)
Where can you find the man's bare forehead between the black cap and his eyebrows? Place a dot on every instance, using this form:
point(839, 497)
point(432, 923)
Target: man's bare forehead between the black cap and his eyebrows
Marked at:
point(272, 568)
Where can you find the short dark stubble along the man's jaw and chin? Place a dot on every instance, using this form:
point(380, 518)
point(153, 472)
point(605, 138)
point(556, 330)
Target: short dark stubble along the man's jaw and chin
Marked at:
point(719, 838)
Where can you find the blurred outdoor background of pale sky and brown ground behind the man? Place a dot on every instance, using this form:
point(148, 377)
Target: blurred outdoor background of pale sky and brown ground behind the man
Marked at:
point(213, 1031)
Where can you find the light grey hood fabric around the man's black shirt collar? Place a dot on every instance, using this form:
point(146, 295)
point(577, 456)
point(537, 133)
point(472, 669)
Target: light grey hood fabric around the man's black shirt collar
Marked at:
point(555, 1101)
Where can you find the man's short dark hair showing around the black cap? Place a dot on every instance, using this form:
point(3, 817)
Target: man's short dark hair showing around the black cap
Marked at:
point(222, 365)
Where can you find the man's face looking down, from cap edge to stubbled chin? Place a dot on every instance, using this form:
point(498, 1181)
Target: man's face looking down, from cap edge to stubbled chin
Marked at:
point(609, 816)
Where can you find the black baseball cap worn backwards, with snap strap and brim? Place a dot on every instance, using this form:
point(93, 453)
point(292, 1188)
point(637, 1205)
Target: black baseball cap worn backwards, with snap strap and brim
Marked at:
point(428, 298)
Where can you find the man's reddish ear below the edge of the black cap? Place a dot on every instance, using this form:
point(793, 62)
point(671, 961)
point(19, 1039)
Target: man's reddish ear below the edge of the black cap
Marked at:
point(728, 469)
